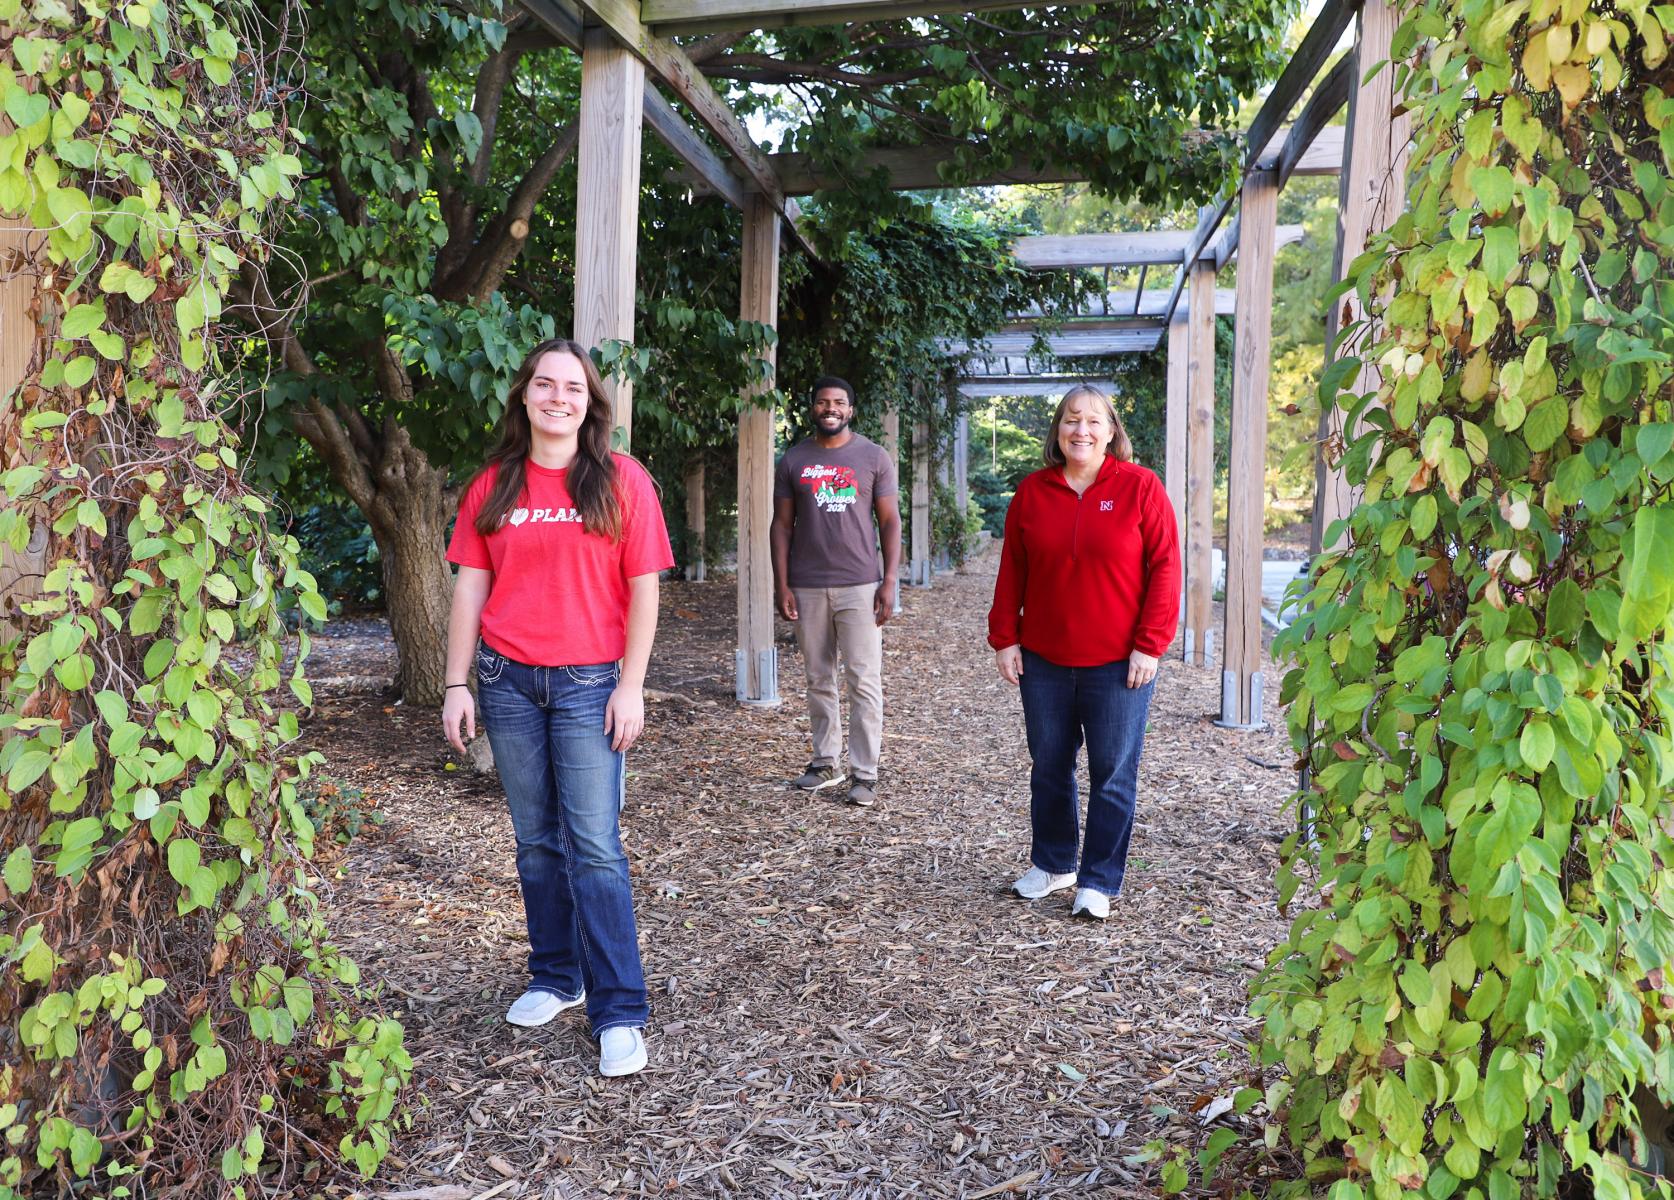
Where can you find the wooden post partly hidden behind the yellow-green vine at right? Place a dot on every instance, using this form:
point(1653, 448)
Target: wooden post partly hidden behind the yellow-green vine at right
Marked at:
point(1372, 197)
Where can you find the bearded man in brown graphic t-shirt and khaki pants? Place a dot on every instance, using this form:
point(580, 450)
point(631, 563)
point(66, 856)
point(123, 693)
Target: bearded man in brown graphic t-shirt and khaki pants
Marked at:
point(833, 583)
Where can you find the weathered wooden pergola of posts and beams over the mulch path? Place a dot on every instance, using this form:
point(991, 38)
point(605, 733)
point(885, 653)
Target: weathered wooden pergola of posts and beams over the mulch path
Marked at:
point(632, 69)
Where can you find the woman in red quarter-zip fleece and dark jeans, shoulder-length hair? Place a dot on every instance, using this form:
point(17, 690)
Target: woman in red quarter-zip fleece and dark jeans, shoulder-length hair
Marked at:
point(1087, 602)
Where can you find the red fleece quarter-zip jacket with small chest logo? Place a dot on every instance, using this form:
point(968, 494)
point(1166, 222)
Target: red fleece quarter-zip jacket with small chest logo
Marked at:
point(1087, 580)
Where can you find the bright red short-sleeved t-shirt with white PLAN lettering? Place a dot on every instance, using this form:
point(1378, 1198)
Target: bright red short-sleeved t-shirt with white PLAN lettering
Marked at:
point(560, 595)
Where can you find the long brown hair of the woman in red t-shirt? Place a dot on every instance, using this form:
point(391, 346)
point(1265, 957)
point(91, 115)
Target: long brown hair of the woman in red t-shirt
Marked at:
point(592, 476)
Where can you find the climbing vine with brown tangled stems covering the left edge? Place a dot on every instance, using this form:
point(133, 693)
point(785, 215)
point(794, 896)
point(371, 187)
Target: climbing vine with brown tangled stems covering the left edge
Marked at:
point(173, 1013)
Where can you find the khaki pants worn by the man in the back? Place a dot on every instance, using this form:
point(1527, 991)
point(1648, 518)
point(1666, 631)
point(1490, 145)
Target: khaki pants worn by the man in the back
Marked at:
point(834, 622)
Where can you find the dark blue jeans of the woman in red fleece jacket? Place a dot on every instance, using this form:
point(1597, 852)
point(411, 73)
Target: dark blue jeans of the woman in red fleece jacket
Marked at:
point(1062, 707)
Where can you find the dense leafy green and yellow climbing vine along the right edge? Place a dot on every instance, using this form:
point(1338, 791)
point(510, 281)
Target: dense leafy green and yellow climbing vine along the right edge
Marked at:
point(1479, 1003)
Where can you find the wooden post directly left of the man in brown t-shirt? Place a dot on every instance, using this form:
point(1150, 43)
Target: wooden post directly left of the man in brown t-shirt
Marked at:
point(757, 660)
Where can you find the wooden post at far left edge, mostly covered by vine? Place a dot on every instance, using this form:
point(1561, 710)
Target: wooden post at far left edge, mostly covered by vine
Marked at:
point(21, 573)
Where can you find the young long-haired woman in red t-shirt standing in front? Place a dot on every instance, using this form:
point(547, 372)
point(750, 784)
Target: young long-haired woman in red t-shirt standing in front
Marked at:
point(560, 543)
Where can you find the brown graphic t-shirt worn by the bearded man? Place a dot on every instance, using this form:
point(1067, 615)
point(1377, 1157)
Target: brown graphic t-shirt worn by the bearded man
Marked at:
point(836, 540)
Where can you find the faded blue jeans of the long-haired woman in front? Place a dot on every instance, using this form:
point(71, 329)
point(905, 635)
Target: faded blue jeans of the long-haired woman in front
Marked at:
point(565, 787)
